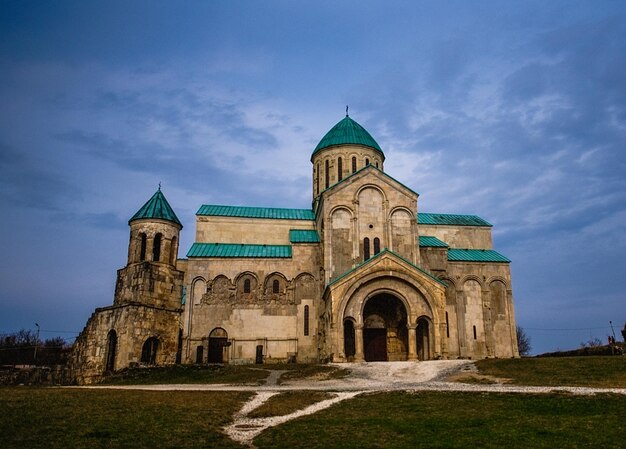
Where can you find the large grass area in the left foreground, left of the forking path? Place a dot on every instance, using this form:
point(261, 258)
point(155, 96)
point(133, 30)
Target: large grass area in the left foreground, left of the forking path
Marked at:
point(71, 418)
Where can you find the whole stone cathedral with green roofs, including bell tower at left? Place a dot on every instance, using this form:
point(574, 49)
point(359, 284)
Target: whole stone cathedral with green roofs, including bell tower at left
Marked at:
point(363, 275)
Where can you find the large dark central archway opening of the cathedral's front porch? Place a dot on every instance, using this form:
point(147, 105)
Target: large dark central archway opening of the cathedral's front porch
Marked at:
point(385, 334)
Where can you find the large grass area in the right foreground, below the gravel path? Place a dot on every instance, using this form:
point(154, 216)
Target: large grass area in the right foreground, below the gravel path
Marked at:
point(458, 420)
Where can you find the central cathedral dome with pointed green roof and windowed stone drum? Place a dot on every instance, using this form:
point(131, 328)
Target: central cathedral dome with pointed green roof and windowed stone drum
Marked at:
point(345, 149)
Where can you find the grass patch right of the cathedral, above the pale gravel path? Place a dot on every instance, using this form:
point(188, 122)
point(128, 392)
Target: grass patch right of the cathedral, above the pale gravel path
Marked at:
point(589, 371)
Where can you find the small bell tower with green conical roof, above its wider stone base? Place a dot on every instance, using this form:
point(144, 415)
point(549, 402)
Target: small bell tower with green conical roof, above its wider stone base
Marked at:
point(150, 276)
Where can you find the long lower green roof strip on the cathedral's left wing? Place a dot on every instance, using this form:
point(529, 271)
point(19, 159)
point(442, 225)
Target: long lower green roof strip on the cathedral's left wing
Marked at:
point(228, 250)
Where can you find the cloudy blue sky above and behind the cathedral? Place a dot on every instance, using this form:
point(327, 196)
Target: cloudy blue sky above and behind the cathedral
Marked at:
point(514, 111)
